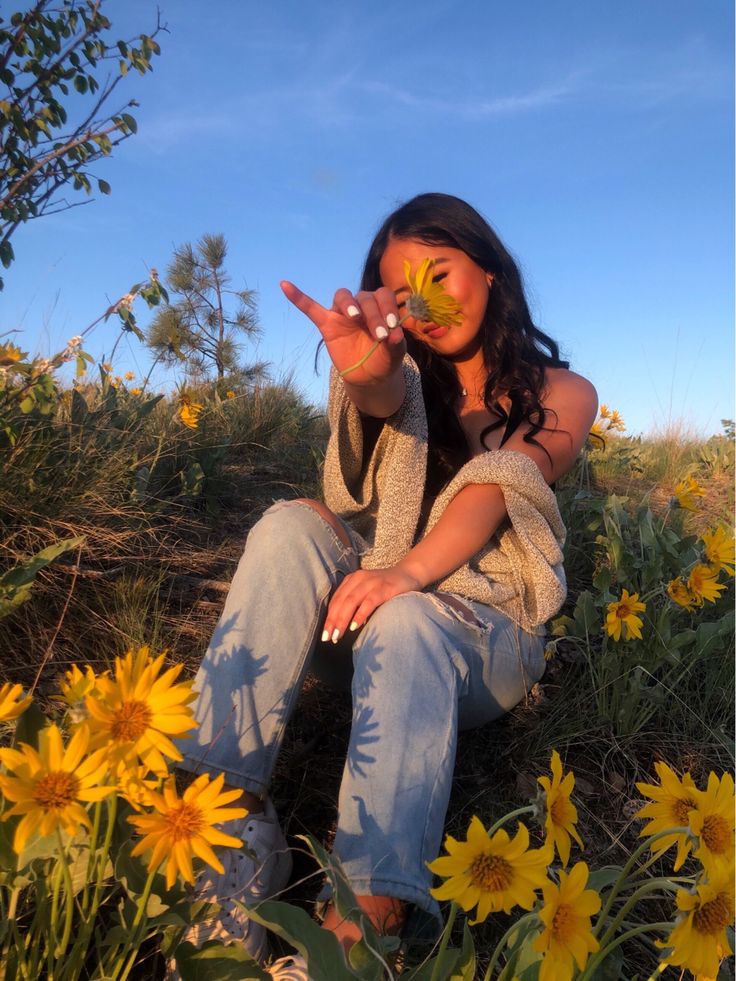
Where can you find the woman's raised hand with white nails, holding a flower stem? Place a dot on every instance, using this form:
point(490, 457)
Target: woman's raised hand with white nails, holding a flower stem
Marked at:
point(351, 327)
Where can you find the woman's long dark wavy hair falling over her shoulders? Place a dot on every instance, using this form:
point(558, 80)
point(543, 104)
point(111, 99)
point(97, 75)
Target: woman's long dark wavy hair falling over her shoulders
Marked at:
point(515, 352)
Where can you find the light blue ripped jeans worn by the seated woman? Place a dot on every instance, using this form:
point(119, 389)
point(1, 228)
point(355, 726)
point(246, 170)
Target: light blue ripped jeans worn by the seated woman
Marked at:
point(421, 670)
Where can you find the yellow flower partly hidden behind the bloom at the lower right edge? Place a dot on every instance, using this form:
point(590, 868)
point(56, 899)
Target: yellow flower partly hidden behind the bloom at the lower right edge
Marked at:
point(672, 801)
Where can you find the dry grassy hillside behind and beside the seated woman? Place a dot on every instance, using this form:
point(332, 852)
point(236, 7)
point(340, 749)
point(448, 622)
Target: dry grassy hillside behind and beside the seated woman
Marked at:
point(156, 495)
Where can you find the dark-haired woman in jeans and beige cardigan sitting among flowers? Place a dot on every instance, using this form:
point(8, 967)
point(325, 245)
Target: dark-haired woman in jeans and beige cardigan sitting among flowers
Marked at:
point(429, 572)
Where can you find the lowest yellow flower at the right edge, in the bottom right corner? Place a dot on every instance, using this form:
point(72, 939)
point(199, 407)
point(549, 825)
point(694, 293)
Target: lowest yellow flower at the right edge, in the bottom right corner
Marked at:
point(699, 941)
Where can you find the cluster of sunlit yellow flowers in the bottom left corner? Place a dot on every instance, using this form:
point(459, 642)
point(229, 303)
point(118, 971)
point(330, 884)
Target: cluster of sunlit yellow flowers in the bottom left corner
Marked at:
point(121, 727)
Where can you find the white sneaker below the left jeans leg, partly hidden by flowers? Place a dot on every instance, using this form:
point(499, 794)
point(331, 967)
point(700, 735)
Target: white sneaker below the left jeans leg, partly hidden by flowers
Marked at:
point(244, 879)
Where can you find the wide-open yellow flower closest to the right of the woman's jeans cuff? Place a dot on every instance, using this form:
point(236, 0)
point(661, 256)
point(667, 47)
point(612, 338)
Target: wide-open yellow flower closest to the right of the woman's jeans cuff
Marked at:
point(493, 874)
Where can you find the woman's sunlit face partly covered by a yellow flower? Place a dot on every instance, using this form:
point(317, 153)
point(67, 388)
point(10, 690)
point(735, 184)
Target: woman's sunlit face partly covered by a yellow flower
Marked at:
point(461, 278)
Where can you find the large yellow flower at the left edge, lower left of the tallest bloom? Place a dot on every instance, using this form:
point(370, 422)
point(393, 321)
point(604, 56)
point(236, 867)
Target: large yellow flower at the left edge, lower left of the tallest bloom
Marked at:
point(52, 784)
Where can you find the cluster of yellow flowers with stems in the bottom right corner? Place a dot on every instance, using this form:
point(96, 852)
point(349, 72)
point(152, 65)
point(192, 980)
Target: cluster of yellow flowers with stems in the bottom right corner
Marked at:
point(491, 872)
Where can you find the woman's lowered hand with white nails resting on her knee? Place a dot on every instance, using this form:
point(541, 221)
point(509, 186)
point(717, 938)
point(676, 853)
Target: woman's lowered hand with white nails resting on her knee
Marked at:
point(360, 594)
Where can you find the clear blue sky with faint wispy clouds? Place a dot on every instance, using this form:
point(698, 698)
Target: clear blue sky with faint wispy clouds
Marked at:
point(596, 137)
